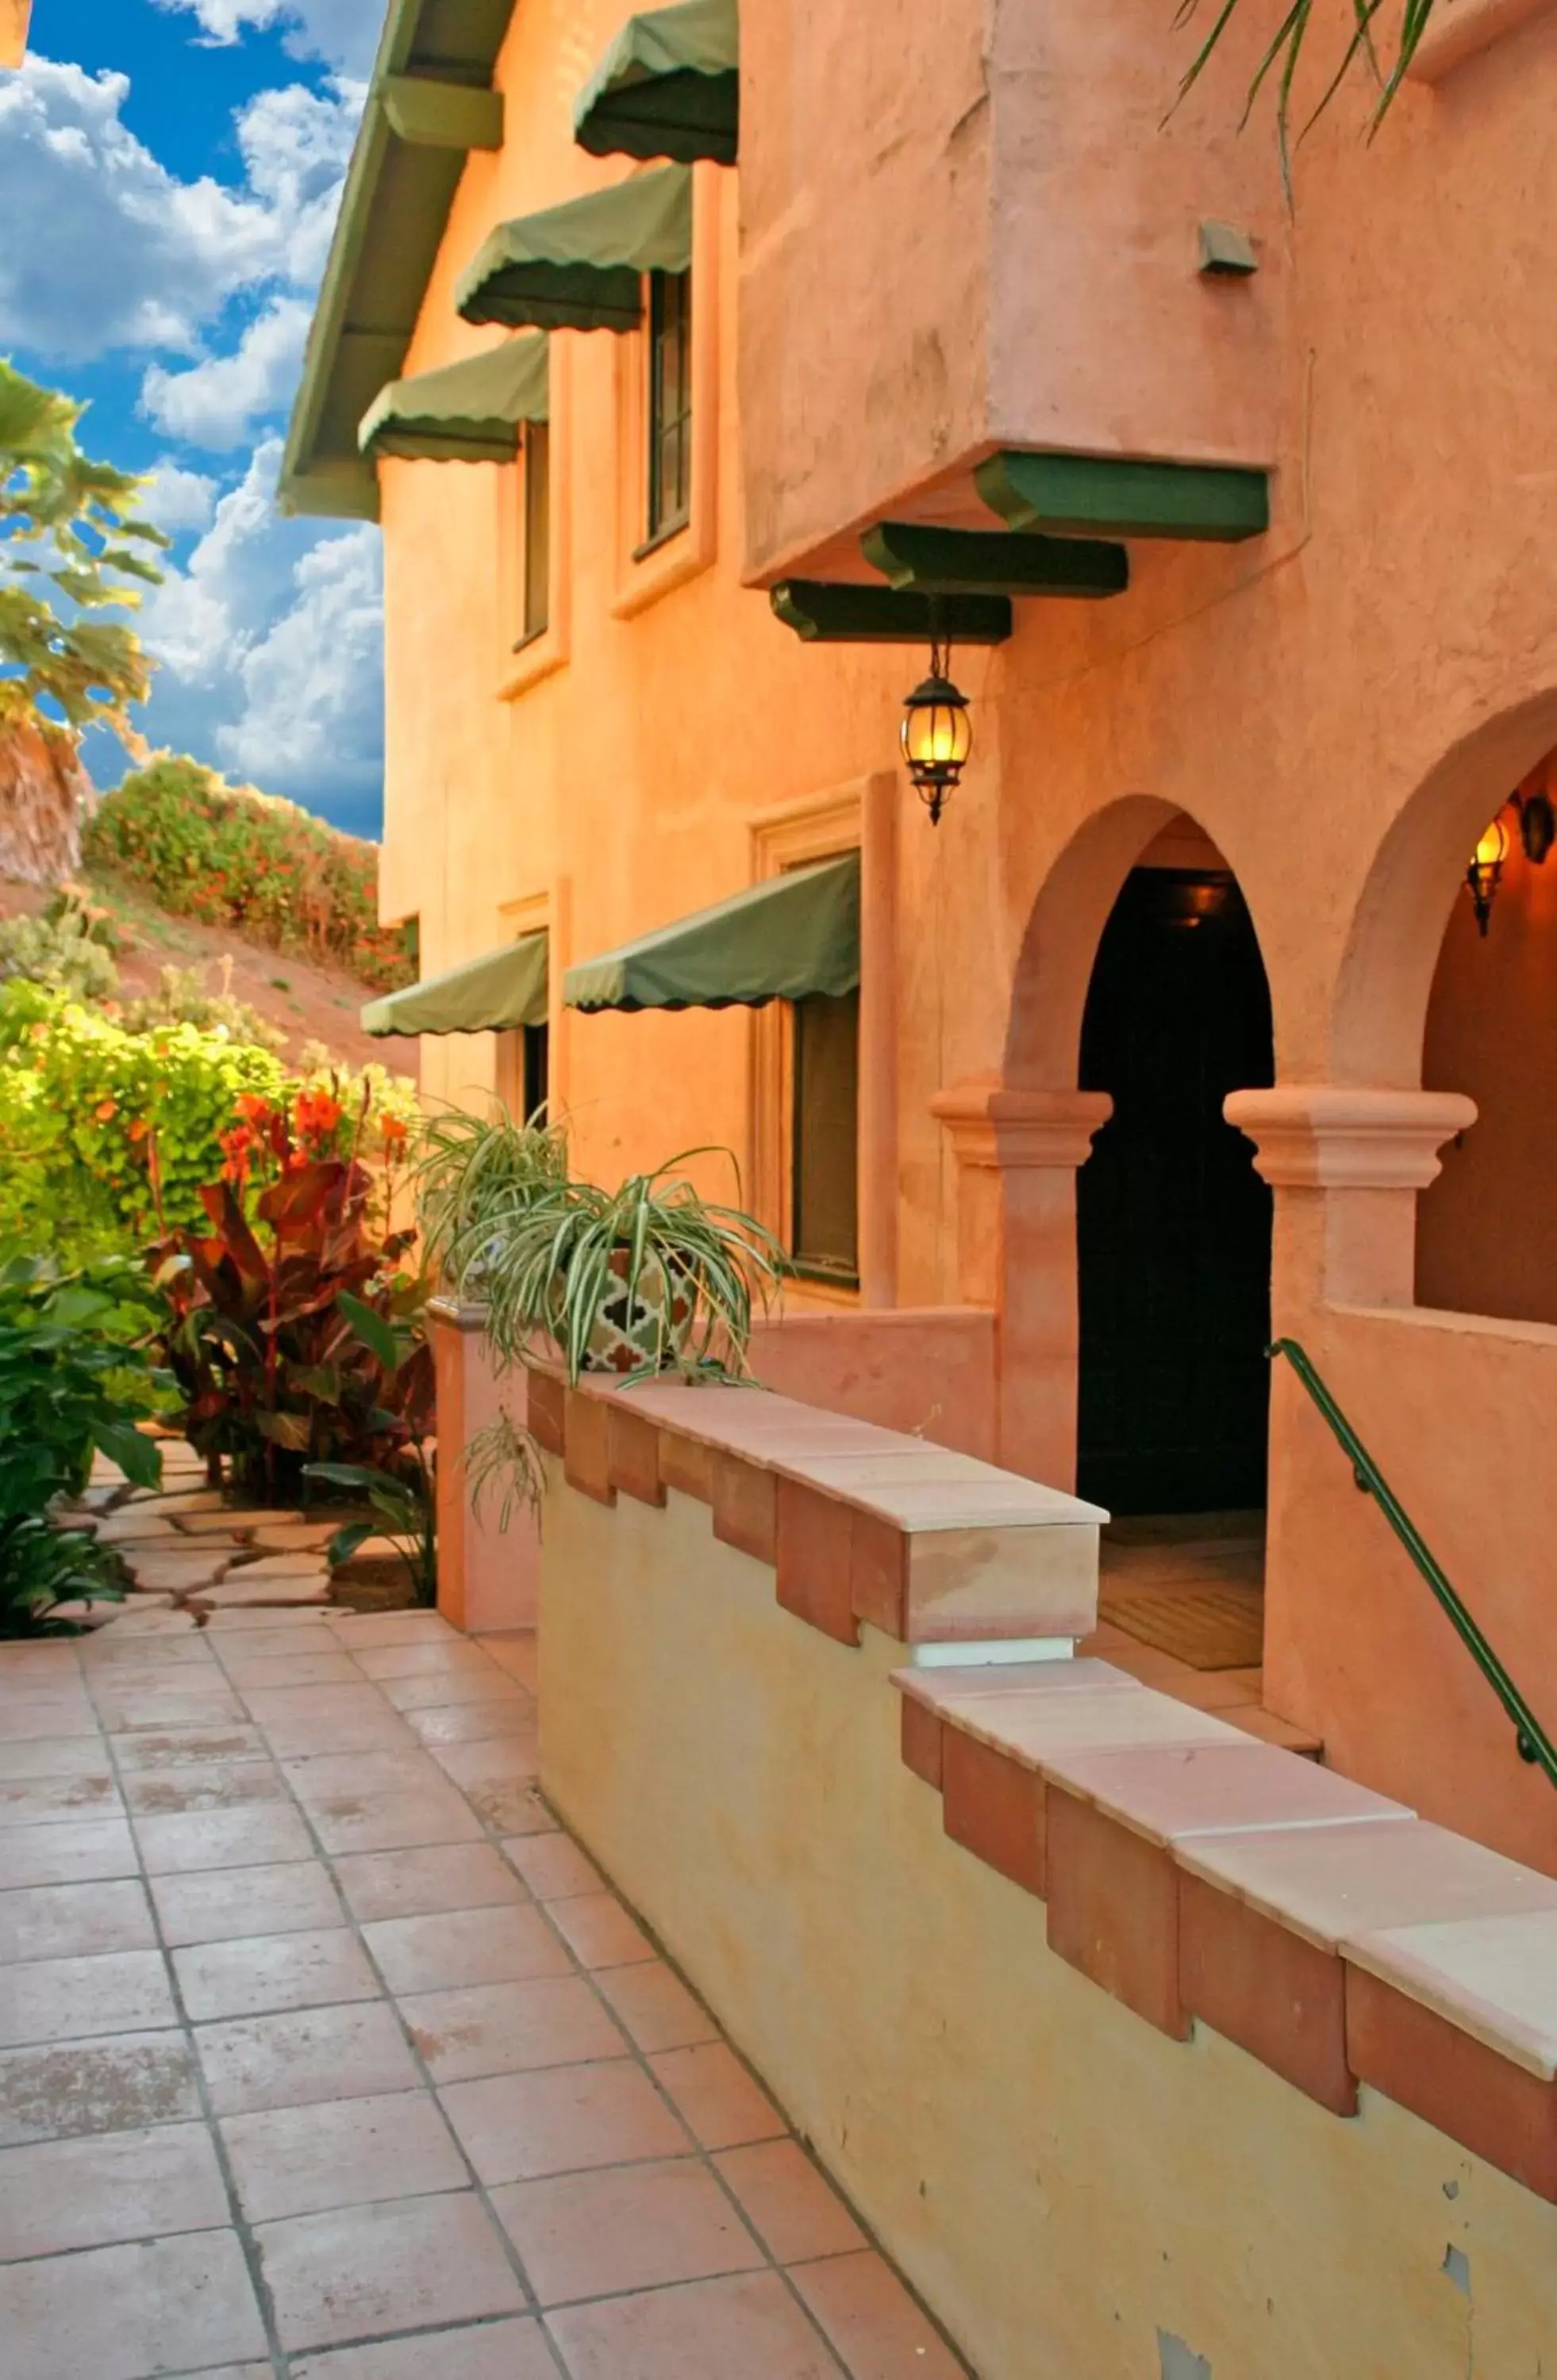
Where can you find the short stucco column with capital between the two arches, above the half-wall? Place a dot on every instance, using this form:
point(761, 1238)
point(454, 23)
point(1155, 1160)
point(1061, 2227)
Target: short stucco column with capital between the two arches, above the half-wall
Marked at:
point(1346, 1165)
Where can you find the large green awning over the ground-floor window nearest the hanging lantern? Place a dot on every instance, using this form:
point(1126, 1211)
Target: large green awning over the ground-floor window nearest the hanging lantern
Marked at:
point(777, 941)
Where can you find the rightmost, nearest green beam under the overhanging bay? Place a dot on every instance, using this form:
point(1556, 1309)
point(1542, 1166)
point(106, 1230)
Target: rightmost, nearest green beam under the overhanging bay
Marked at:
point(1111, 499)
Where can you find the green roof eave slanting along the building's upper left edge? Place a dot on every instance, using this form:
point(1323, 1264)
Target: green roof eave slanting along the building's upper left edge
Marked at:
point(392, 225)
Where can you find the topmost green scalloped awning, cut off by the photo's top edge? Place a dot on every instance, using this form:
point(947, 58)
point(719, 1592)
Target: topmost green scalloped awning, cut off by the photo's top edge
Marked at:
point(668, 87)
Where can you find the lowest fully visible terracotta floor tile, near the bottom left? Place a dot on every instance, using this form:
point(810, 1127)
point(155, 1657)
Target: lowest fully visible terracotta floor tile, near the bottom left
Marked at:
point(396, 2267)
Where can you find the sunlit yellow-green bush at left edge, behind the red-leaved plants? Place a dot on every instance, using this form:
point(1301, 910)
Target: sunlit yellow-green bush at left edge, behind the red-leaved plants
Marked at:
point(101, 1127)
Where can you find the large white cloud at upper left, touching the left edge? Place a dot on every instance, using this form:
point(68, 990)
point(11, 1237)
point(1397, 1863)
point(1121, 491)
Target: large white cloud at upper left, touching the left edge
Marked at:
point(137, 258)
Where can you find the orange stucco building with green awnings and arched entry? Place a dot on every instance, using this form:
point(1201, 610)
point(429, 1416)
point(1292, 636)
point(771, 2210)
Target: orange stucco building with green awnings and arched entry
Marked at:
point(701, 375)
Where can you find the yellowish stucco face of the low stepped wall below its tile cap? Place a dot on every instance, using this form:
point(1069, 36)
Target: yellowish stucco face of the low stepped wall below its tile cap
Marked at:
point(1077, 2196)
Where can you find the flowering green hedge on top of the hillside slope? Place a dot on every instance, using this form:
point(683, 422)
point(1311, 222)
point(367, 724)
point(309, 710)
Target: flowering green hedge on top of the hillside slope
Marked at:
point(249, 860)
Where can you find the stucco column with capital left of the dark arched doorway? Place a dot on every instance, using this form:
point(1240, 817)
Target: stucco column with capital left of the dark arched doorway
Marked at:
point(1018, 1155)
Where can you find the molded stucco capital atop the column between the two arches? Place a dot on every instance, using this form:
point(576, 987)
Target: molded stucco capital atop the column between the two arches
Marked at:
point(1334, 1136)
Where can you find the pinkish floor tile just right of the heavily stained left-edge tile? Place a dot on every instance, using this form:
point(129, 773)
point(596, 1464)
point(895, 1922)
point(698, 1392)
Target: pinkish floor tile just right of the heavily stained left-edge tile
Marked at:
point(294, 2060)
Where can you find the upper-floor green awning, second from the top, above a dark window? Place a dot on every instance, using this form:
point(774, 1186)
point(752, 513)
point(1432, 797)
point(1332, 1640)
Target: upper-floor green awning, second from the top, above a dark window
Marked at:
point(580, 268)
